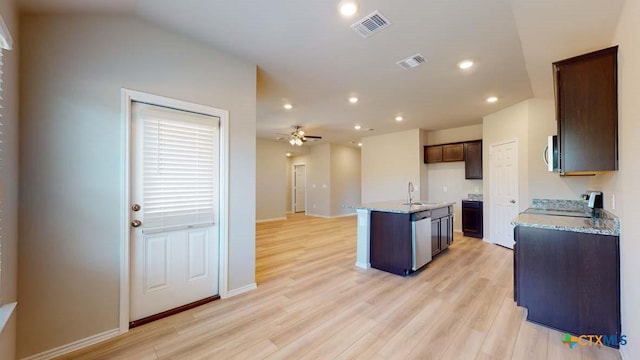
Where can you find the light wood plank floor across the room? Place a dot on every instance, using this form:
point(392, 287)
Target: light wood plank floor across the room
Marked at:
point(313, 303)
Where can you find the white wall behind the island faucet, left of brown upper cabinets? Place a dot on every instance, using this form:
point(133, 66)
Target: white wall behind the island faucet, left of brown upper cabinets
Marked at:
point(389, 162)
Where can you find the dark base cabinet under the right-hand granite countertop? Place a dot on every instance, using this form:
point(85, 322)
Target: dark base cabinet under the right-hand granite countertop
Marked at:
point(568, 281)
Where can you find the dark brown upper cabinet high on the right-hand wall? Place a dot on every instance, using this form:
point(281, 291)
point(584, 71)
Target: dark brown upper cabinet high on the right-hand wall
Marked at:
point(586, 94)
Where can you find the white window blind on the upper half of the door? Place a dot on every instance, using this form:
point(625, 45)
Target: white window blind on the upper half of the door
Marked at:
point(180, 154)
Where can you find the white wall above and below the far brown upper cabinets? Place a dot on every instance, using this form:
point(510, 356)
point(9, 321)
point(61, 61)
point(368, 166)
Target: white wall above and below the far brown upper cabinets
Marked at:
point(451, 175)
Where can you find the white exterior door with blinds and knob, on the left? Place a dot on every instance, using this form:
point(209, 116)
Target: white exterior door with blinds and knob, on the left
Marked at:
point(174, 210)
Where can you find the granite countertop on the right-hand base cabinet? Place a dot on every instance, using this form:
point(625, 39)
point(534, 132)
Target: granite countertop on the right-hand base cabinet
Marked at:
point(605, 224)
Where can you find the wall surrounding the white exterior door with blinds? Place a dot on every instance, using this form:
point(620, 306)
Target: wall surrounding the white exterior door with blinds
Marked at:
point(72, 70)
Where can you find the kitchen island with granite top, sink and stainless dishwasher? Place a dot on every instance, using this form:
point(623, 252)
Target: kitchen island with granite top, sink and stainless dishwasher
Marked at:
point(400, 238)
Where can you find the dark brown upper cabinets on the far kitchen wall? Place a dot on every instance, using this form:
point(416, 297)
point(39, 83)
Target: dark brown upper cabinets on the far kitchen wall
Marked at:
point(470, 152)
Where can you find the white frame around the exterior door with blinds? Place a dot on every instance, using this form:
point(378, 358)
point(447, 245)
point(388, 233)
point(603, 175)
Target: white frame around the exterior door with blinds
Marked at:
point(128, 96)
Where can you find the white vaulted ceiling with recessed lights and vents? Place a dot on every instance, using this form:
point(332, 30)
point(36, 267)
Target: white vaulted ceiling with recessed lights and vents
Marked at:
point(308, 55)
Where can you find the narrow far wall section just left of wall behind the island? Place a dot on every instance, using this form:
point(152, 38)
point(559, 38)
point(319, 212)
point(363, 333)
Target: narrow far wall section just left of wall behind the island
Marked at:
point(345, 179)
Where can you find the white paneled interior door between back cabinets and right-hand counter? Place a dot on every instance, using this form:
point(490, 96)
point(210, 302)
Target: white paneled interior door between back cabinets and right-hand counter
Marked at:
point(503, 166)
